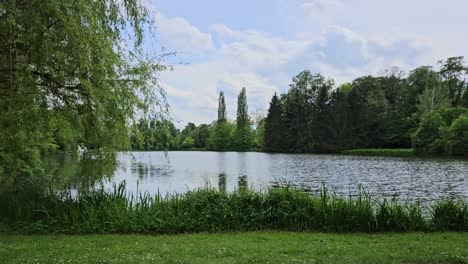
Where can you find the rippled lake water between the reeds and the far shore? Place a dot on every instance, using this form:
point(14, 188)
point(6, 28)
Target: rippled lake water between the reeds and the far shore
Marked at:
point(177, 172)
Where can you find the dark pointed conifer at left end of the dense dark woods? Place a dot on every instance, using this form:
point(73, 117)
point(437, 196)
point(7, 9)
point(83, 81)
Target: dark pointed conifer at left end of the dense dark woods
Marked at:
point(273, 138)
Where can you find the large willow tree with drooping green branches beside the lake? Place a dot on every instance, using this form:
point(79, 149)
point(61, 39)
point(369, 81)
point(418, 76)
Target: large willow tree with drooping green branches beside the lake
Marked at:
point(71, 72)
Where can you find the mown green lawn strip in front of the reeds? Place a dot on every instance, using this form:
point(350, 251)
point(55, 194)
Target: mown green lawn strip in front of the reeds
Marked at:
point(253, 247)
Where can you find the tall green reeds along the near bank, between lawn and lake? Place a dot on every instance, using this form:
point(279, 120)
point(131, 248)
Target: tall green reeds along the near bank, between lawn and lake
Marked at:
point(208, 210)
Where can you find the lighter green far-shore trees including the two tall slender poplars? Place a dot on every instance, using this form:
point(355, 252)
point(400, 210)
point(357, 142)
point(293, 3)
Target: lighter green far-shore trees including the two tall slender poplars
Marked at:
point(220, 135)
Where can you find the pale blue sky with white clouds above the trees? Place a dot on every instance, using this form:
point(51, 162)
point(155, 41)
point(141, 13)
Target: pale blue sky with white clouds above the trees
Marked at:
point(261, 44)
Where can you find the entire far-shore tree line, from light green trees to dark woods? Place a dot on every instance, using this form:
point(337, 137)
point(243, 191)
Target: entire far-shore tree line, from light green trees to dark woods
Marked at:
point(425, 110)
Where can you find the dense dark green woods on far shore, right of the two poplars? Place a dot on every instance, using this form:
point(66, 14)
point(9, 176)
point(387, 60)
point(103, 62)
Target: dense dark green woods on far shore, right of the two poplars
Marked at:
point(389, 112)
